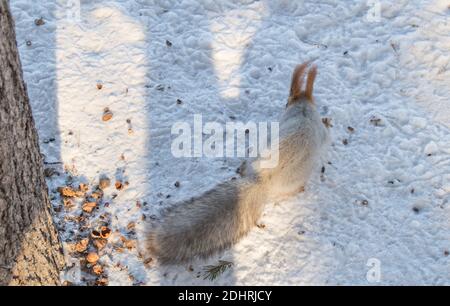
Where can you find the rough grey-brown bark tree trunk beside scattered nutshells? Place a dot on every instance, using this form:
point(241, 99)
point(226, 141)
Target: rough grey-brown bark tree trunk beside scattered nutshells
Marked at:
point(30, 251)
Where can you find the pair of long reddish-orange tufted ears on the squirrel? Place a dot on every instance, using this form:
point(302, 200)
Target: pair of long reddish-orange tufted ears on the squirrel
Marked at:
point(298, 76)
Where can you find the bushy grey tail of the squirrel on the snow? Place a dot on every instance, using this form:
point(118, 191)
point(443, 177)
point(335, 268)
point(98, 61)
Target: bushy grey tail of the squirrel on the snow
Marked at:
point(202, 226)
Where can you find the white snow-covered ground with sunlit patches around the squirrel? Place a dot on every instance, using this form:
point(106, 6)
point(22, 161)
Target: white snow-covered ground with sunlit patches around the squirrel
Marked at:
point(384, 196)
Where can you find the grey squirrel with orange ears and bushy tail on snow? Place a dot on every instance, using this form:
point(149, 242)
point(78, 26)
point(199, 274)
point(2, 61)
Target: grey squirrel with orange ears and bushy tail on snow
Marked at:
point(210, 223)
